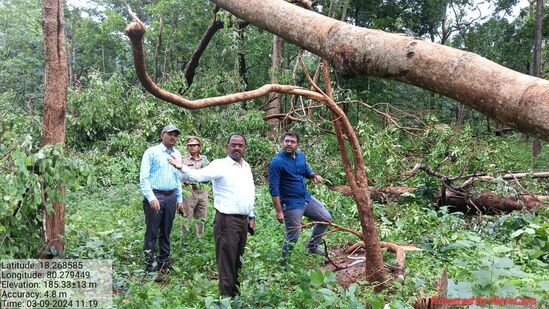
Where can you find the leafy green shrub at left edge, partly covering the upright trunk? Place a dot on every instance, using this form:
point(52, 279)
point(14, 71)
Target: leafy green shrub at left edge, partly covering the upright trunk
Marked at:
point(30, 177)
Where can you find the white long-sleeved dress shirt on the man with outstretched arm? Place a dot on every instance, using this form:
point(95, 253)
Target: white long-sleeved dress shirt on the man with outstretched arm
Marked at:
point(232, 183)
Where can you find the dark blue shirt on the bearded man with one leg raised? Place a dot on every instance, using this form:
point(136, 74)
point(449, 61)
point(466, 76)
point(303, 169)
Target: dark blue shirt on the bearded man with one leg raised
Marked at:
point(287, 179)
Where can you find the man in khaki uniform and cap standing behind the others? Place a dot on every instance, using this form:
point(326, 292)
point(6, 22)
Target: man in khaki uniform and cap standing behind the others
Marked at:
point(196, 205)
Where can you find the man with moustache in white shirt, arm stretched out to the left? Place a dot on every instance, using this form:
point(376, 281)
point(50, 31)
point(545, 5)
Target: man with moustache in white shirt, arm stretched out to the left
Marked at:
point(234, 194)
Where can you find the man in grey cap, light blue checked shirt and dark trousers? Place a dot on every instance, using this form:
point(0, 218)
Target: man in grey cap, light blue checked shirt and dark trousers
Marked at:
point(159, 182)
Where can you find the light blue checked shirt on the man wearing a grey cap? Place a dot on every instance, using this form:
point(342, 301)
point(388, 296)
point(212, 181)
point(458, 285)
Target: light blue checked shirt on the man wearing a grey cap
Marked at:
point(157, 173)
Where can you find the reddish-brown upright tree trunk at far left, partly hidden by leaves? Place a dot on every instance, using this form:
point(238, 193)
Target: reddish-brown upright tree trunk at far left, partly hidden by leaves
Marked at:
point(55, 102)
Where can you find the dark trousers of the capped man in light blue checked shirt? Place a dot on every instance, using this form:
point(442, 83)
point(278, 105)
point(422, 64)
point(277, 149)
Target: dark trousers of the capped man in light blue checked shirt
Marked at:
point(159, 226)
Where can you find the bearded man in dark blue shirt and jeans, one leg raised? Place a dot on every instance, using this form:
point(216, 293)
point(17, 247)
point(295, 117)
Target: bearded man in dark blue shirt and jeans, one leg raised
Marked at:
point(287, 173)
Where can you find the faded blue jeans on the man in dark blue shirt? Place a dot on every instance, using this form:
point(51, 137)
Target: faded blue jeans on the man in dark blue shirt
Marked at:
point(313, 210)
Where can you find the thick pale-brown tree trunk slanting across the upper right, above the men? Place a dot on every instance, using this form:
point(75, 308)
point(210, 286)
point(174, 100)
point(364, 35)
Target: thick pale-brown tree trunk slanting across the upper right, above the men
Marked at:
point(518, 100)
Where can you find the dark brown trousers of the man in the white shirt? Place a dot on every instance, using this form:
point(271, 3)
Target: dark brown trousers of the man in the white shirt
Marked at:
point(230, 232)
